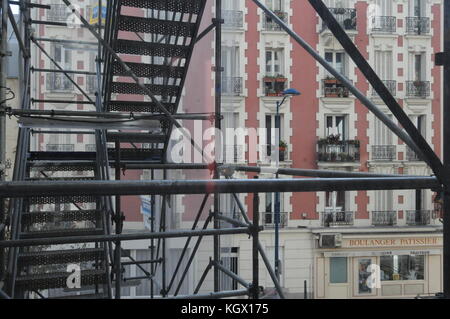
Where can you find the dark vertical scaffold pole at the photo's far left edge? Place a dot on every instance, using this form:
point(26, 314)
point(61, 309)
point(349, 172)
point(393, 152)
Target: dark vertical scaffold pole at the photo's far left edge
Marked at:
point(3, 66)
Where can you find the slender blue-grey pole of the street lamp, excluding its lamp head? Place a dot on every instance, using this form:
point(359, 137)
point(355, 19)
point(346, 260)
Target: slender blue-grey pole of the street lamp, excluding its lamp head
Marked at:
point(277, 194)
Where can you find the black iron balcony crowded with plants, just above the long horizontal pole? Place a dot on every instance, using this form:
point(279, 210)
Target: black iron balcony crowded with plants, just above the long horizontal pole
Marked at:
point(331, 149)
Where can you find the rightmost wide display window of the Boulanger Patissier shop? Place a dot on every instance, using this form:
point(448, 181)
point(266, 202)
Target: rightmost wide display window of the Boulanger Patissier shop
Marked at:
point(403, 267)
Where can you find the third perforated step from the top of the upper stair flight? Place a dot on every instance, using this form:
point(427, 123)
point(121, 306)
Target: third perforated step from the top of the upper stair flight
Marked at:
point(151, 49)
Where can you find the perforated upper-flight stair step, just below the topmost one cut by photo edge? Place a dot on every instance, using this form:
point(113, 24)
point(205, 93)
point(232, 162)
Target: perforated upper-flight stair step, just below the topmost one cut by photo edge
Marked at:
point(156, 26)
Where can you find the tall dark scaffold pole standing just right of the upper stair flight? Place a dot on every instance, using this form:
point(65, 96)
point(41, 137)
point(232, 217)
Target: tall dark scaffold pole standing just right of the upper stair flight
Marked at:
point(218, 101)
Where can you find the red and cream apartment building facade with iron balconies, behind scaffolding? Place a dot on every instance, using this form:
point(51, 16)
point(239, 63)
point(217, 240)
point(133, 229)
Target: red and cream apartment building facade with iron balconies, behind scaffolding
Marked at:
point(327, 240)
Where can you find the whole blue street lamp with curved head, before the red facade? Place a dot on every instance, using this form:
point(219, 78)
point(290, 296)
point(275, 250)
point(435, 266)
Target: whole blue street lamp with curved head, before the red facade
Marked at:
point(286, 94)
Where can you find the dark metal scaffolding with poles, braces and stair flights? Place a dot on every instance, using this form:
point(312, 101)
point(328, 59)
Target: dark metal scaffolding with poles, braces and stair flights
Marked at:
point(171, 30)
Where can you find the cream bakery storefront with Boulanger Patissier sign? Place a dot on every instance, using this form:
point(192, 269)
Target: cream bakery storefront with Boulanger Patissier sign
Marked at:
point(379, 266)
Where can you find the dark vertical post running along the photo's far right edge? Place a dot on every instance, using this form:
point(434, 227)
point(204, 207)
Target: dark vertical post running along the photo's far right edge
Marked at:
point(446, 141)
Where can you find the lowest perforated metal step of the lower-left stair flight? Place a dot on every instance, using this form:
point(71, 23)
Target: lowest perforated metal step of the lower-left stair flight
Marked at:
point(59, 279)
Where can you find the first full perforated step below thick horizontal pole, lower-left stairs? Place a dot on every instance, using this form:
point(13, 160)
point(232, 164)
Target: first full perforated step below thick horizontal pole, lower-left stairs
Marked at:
point(29, 218)
